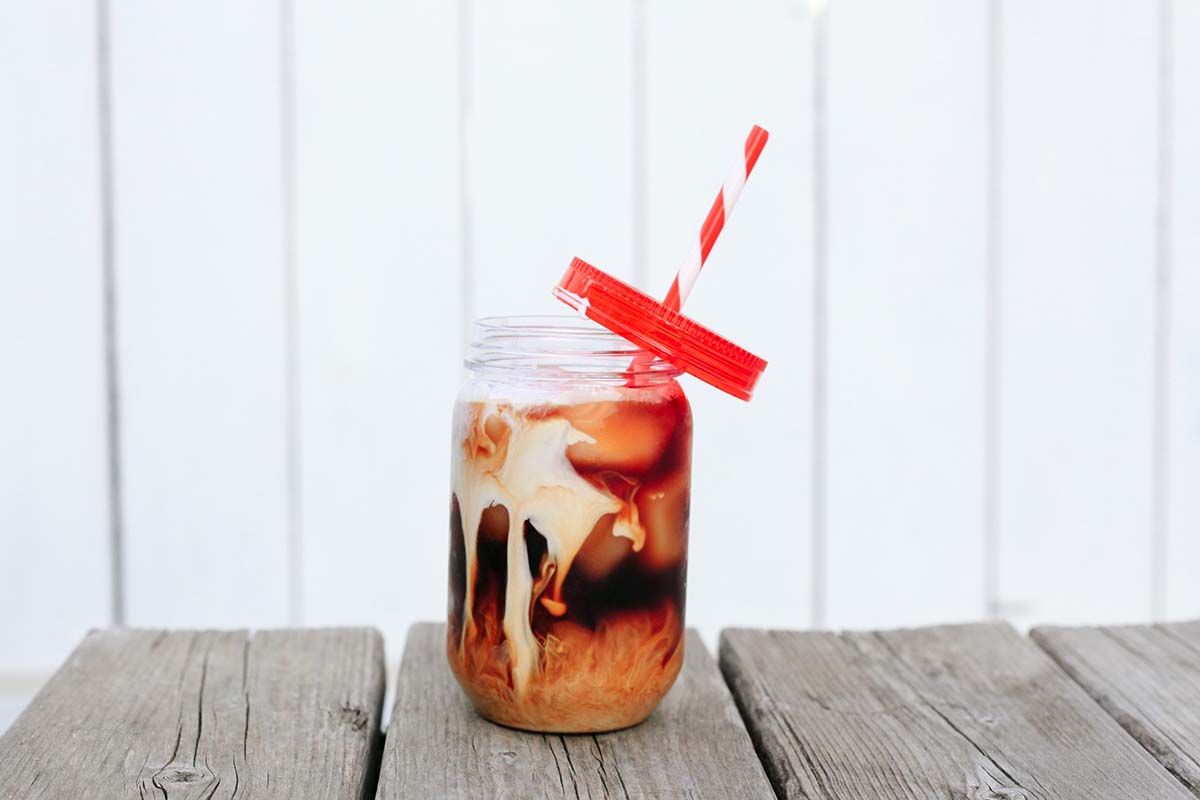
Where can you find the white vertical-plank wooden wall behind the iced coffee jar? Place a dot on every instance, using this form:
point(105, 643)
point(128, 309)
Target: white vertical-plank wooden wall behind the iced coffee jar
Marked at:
point(242, 243)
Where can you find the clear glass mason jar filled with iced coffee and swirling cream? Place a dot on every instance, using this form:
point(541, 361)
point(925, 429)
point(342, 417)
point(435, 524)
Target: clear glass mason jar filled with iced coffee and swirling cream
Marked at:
point(572, 473)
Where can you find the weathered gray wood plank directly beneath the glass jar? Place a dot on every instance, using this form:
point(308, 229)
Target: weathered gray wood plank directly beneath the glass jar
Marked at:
point(693, 747)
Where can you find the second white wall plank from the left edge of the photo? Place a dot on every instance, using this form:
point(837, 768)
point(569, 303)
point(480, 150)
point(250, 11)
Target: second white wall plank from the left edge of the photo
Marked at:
point(201, 285)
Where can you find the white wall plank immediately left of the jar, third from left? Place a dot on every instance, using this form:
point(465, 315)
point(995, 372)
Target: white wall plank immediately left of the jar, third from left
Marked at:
point(379, 267)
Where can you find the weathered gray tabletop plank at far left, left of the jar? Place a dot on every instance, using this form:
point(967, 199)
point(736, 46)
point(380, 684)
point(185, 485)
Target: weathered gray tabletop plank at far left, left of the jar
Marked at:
point(181, 715)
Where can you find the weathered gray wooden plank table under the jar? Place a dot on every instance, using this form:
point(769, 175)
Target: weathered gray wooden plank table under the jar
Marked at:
point(974, 712)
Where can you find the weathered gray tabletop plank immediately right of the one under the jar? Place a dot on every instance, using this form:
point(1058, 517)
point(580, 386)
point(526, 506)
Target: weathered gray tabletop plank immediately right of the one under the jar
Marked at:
point(955, 712)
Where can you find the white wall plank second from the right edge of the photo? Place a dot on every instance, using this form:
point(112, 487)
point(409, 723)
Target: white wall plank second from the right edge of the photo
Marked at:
point(1079, 88)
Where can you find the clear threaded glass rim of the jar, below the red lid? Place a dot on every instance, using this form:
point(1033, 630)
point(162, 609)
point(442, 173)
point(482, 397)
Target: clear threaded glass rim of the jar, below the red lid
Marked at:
point(560, 350)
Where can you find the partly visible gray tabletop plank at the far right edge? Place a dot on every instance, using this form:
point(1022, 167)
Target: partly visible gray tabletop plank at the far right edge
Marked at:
point(1148, 678)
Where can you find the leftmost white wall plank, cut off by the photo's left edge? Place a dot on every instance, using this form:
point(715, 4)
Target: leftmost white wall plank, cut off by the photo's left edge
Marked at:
point(55, 526)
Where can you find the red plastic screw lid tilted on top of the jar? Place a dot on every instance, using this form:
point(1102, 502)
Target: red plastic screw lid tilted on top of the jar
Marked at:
point(659, 329)
